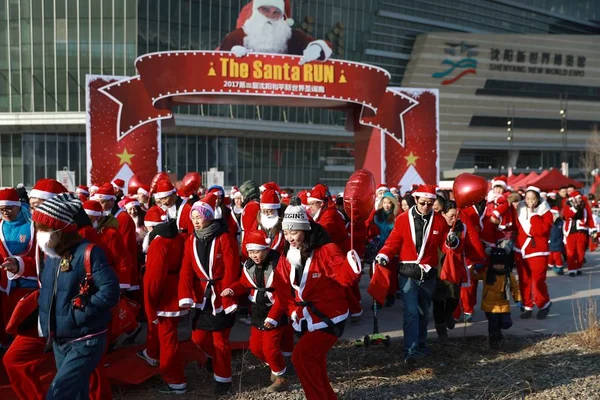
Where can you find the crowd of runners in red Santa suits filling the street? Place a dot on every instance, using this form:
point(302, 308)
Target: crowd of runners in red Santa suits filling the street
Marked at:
point(294, 260)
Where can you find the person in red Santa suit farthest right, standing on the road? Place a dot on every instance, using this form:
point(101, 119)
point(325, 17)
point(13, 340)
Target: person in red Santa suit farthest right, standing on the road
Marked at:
point(578, 223)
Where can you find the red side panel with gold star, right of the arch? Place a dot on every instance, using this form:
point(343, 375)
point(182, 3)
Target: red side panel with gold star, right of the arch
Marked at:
point(410, 157)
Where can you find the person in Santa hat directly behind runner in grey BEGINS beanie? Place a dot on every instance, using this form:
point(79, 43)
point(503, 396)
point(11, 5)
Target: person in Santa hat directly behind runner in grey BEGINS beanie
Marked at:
point(326, 214)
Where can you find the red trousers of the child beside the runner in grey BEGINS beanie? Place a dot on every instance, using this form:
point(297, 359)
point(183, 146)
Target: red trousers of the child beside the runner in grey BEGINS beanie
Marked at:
point(266, 346)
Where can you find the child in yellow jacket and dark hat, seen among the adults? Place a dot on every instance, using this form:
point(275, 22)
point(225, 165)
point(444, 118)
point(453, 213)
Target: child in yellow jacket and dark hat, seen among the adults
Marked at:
point(500, 283)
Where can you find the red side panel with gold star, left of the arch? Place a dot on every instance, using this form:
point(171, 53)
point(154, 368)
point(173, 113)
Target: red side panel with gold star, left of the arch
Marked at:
point(109, 154)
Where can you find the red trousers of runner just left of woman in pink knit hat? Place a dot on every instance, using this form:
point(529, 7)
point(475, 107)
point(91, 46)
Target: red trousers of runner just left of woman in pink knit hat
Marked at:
point(162, 344)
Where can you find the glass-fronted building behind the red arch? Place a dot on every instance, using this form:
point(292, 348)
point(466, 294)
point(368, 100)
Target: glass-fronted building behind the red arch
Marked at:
point(48, 46)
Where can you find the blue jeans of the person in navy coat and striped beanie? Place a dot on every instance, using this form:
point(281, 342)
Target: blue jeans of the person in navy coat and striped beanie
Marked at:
point(75, 363)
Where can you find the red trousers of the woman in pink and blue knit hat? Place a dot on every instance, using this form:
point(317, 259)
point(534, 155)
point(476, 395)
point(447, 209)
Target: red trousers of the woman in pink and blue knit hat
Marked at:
point(215, 345)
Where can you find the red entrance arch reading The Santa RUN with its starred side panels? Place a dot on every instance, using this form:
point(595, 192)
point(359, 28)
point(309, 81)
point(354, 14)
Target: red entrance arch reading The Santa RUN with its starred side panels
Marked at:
point(396, 131)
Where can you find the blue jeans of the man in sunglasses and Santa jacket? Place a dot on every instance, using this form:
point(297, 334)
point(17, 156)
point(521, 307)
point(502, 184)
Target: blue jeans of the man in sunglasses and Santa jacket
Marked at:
point(416, 296)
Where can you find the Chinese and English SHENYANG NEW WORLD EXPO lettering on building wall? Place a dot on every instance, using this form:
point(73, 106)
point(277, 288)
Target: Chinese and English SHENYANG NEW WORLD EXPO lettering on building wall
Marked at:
point(535, 62)
